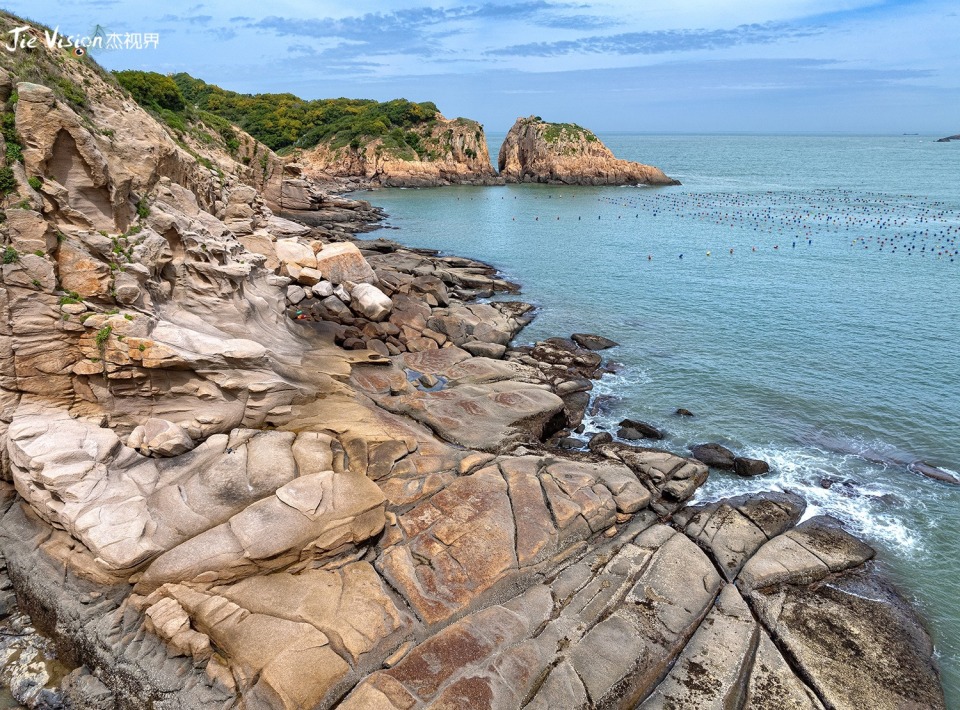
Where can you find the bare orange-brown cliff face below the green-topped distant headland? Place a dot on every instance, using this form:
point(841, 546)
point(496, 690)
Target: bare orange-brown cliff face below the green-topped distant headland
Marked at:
point(452, 152)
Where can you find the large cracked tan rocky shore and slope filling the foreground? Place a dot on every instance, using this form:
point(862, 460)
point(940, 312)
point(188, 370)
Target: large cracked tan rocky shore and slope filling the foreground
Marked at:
point(252, 463)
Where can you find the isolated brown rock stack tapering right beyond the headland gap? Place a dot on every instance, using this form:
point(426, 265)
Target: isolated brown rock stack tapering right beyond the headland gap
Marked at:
point(565, 153)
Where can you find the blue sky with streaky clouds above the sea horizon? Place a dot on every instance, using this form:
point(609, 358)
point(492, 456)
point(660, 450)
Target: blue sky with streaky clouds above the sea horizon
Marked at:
point(698, 66)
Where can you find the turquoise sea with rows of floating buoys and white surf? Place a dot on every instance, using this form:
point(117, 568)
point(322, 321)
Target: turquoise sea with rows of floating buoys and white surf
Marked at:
point(839, 347)
